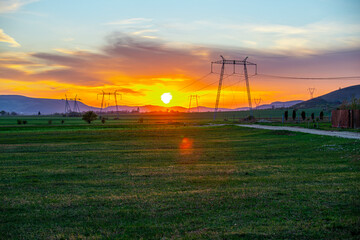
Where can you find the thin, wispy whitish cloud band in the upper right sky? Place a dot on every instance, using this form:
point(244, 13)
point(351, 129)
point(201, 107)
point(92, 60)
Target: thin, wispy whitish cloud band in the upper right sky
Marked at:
point(316, 36)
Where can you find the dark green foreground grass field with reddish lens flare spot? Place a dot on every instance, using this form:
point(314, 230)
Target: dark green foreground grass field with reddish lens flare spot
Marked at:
point(175, 182)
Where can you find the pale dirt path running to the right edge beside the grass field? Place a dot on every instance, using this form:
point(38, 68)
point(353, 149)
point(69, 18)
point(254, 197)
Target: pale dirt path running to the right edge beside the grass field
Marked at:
point(352, 135)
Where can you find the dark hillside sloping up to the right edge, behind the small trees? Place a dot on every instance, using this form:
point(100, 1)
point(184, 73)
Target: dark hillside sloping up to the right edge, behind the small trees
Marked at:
point(332, 99)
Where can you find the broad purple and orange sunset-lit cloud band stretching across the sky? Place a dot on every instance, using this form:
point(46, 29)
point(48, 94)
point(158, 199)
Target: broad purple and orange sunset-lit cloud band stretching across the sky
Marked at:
point(145, 68)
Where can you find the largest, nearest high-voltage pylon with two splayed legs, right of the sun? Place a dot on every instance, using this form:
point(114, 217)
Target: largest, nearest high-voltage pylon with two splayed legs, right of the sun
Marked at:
point(223, 62)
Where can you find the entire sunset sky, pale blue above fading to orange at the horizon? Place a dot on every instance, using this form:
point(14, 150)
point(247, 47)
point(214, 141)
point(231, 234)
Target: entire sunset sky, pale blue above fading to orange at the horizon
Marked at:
point(49, 48)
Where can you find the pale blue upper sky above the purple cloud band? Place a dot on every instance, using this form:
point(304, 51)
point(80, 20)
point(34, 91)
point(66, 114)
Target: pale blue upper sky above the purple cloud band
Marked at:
point(271, 25)
